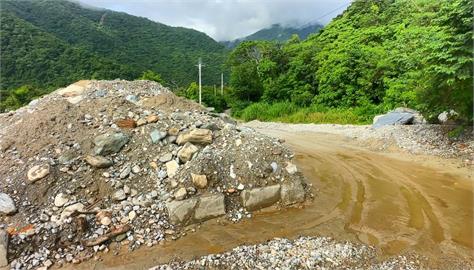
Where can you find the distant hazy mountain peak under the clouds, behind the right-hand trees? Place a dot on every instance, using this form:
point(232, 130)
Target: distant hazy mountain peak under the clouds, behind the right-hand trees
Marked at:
point(277, 32)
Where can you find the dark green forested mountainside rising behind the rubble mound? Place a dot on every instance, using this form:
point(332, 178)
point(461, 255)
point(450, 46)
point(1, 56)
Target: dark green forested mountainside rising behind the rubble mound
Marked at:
point(49, 43)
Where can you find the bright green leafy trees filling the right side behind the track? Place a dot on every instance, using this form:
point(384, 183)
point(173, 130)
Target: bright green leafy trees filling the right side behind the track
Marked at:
point(376, 56)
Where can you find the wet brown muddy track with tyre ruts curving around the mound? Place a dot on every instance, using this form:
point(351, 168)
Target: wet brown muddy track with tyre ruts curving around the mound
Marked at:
point(393, 201)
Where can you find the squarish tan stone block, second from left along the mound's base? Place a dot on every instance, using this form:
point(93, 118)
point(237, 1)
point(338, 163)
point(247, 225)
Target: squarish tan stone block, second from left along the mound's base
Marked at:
point(210, 206)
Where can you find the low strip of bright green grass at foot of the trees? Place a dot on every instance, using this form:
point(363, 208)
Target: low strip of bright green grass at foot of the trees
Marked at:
point(288, 112)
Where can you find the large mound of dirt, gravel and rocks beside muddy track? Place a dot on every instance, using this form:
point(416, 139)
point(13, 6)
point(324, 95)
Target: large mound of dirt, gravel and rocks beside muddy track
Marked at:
point(129, 162)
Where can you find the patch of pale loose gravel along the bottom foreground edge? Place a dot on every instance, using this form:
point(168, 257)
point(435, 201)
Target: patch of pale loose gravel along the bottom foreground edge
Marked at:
point(301, 253)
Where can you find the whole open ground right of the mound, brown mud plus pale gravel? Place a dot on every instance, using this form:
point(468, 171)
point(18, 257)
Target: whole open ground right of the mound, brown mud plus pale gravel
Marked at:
point(399, 210)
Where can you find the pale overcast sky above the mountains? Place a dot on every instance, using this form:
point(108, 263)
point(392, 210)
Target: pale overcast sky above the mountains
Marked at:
point(228, 19)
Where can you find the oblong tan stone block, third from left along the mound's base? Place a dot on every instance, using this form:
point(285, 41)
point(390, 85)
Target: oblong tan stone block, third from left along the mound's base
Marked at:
point(258, 198)
